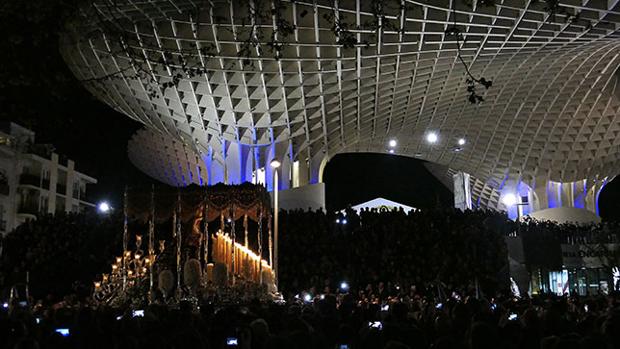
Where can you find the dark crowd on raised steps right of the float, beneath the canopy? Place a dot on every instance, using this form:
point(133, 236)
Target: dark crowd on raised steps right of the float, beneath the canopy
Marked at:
point(420, 247)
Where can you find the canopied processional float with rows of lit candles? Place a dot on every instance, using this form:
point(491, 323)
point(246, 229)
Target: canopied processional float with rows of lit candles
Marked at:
point(202, 255)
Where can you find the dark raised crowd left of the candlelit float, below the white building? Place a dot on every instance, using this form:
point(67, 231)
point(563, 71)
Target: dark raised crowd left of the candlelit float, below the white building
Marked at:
point(59, 254)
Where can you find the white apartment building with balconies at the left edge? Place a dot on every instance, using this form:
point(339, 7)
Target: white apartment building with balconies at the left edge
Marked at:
point(36, 181)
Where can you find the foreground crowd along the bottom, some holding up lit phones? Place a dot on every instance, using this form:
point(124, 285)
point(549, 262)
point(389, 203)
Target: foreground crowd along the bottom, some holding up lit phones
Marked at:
point(335, 320)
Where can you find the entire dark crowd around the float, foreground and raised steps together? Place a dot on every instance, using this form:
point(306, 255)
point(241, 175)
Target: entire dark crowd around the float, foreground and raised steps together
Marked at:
point(378, 279)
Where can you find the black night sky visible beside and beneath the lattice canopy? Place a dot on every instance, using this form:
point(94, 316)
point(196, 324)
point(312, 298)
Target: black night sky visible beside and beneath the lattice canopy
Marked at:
point(38, 91)
